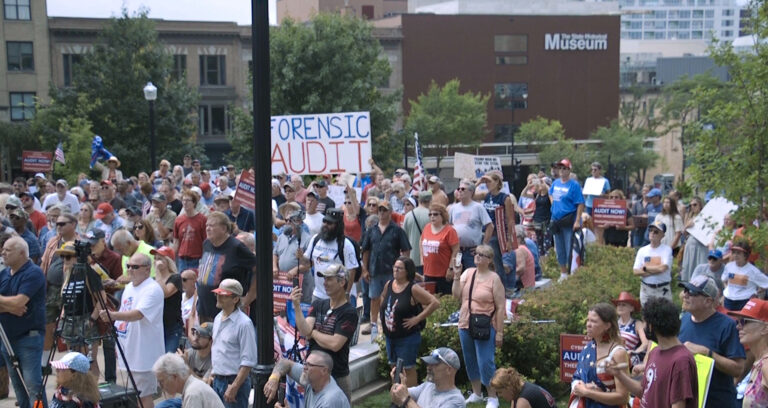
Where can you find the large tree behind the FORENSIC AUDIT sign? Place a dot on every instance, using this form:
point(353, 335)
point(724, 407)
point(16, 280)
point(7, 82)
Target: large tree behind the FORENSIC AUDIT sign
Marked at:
point(333, 64)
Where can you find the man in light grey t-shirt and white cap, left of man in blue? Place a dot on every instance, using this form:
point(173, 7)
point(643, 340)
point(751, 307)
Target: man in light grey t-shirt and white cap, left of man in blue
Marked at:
point(468, 218)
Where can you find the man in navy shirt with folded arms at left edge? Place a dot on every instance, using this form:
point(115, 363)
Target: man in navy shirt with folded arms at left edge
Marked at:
point(22, 315)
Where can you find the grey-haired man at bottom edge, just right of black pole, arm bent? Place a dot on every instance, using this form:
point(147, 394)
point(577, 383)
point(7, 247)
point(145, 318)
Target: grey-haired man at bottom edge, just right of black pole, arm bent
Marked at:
point(320, 388)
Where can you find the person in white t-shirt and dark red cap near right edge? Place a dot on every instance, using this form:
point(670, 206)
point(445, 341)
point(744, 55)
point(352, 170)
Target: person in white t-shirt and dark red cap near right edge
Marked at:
point(741, 277)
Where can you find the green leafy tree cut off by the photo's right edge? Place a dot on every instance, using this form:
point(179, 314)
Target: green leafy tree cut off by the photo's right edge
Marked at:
point(730, 141)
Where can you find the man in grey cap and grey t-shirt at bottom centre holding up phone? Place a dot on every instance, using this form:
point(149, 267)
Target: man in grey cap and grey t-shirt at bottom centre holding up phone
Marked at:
point(439, 388)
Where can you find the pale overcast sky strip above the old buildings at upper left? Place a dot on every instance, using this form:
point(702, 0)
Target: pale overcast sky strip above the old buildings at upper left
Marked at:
point(238, 11)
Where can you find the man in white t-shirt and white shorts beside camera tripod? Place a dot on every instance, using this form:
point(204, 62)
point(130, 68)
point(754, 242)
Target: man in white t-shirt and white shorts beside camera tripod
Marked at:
point(138, 324)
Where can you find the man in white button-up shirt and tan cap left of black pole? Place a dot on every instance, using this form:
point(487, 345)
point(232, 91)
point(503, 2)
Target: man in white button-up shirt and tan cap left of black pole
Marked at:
point(233, 354)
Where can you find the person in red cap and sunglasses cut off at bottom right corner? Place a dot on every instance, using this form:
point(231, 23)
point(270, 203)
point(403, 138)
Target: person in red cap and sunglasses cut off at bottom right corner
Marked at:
point(753, 334)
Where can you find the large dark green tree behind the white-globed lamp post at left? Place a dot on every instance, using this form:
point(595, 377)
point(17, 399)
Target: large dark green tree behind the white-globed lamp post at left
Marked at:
point(111, 77)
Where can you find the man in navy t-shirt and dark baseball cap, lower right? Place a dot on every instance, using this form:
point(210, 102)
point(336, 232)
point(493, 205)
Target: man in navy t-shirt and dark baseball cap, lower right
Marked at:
point(705, 331)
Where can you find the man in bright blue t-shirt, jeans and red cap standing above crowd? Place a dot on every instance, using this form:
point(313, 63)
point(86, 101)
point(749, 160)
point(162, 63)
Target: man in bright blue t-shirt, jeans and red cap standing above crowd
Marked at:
point(567, 206)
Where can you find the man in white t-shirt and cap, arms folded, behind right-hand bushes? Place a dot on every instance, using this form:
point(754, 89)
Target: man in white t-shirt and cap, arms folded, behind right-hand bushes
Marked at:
point(653, 264)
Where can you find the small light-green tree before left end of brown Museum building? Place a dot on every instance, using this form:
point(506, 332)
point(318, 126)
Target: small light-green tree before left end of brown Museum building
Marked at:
point(444, 117)
